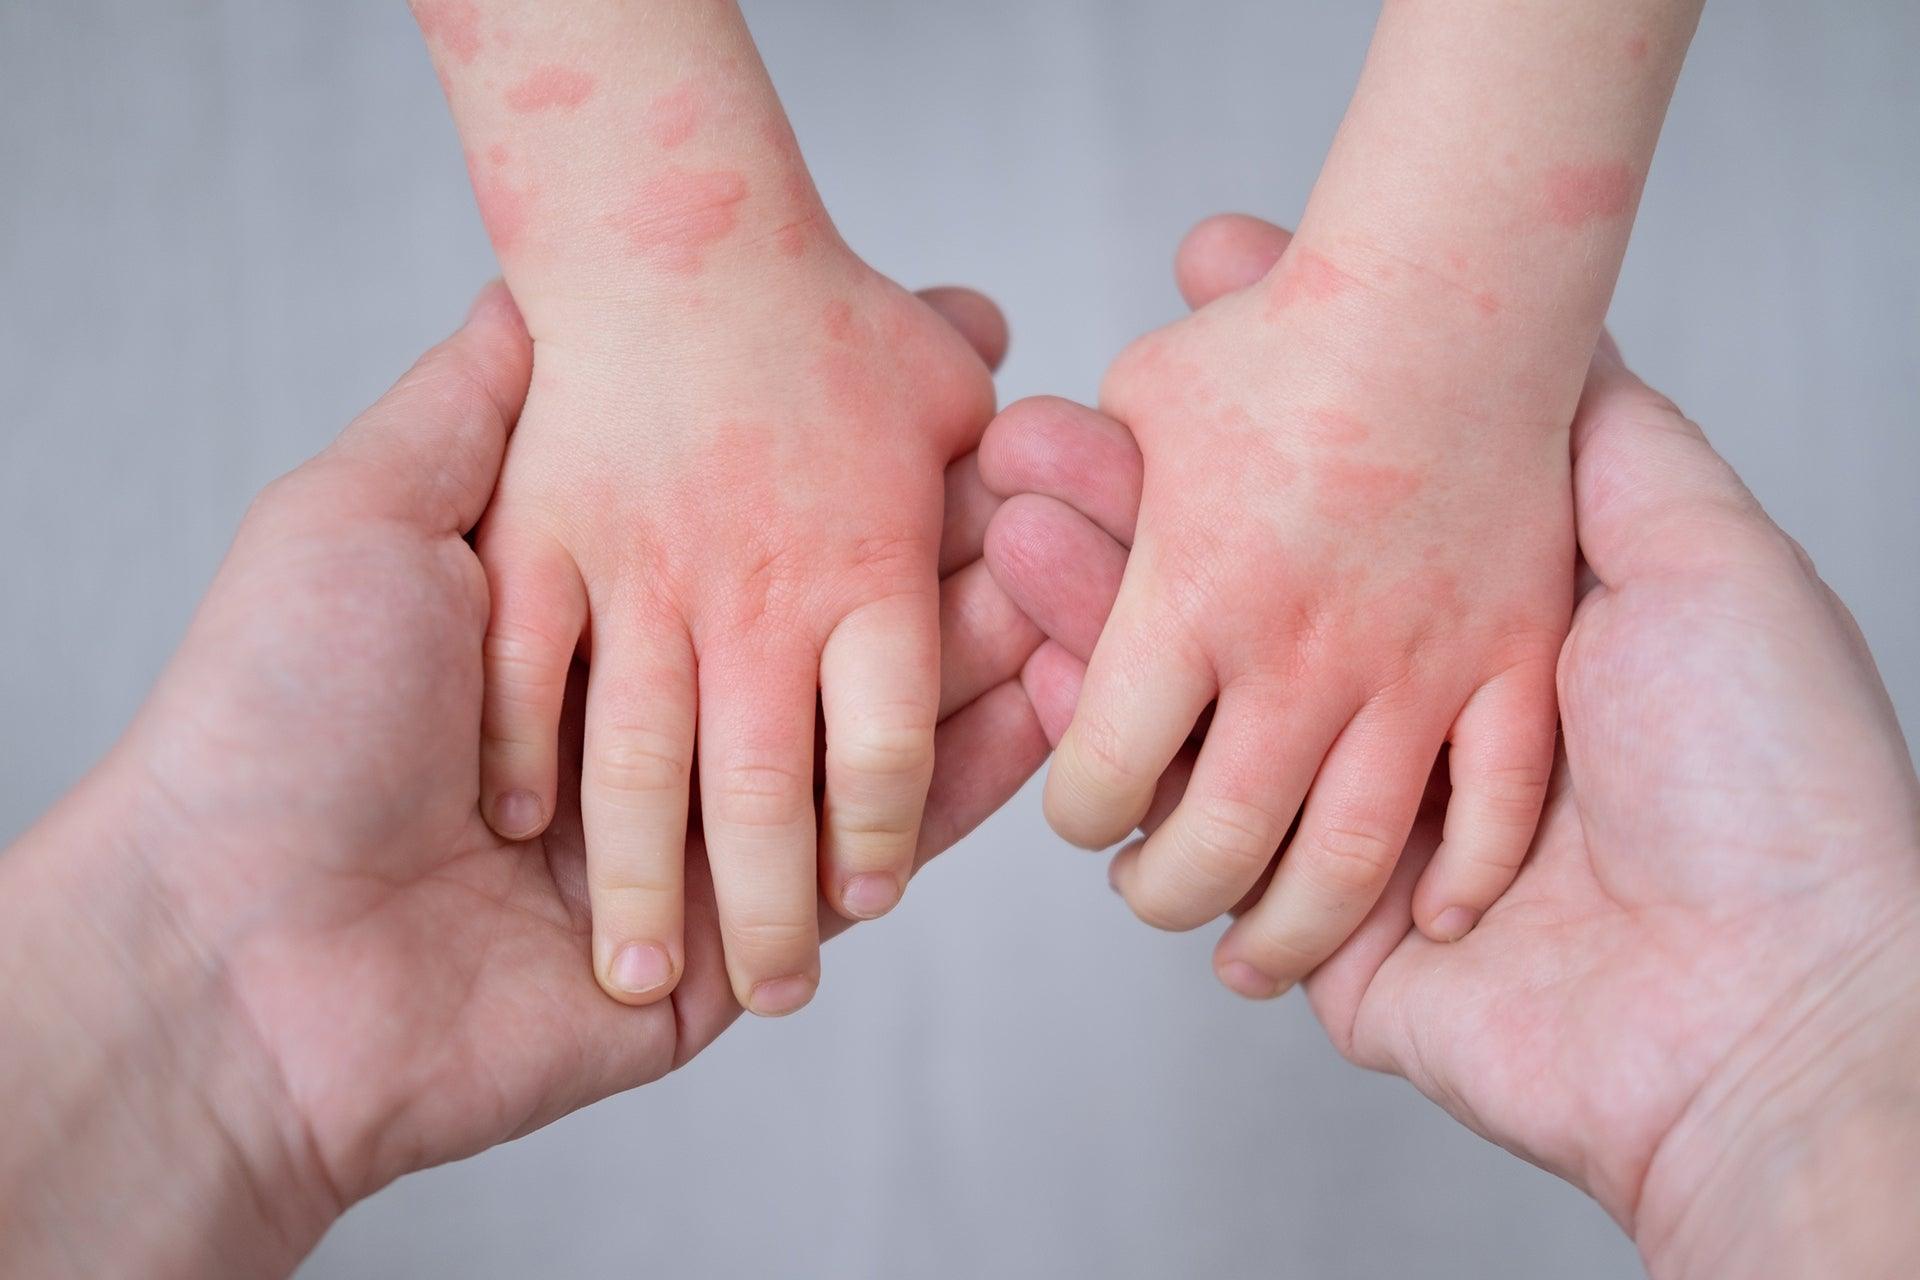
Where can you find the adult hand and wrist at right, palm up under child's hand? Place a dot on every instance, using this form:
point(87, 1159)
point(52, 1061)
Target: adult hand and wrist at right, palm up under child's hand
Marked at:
point(1702, 995)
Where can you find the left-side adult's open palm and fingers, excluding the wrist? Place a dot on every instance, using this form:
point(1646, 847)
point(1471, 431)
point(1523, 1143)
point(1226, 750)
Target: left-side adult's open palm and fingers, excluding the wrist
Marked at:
point(418, 987)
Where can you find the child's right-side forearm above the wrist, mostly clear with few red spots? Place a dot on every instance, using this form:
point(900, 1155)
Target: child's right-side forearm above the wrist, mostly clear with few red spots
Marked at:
point(1485, 179)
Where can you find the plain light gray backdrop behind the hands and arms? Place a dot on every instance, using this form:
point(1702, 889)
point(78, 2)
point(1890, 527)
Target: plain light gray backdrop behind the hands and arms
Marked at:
point(226, 227)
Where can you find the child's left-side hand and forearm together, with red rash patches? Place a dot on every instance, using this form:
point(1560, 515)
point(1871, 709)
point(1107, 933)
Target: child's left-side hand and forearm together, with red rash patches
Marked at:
point(727, 488)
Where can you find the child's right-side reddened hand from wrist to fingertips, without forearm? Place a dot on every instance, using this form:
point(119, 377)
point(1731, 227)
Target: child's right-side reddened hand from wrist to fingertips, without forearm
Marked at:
point(1318, 556)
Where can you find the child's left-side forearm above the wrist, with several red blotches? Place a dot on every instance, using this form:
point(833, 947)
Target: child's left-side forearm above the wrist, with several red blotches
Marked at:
point(619, 151)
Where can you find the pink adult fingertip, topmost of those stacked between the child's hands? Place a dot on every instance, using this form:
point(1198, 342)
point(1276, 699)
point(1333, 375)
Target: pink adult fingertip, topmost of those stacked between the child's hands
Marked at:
point(1067, 452)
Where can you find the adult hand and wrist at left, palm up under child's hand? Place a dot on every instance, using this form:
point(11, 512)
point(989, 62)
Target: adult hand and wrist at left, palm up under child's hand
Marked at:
point(270, 957)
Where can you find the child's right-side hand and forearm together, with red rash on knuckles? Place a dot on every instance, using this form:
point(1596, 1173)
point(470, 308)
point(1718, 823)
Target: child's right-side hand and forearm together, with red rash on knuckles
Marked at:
point(1387, 563)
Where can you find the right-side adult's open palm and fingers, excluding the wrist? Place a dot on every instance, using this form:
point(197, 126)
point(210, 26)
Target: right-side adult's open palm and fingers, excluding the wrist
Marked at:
point(1733, 784)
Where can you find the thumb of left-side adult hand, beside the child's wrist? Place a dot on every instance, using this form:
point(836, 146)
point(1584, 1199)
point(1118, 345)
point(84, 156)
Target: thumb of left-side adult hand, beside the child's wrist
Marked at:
point(429, 452)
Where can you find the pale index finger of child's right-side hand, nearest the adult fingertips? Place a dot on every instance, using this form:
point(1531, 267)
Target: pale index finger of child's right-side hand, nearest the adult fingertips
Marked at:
point(1145, 690)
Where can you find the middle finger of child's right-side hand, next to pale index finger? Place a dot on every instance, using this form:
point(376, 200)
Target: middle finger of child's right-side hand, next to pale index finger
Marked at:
point(1237, 809)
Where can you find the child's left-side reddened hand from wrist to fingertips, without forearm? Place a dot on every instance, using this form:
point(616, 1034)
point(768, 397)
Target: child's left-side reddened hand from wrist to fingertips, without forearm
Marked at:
point(732, 508)
